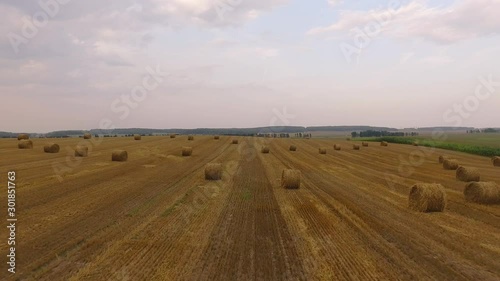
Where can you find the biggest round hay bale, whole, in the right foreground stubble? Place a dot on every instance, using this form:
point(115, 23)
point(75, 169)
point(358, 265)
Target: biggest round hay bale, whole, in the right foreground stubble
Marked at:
point(426, 197)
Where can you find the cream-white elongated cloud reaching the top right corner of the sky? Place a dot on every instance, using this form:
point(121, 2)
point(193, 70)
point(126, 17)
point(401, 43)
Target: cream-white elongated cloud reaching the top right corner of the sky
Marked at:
point(465, 19)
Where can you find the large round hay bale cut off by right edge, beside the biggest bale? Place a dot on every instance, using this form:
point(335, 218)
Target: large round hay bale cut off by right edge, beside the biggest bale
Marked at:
point(482, 192)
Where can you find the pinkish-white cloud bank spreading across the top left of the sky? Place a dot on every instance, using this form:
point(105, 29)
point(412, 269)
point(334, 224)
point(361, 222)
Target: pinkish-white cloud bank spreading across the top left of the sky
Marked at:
point(121, 22)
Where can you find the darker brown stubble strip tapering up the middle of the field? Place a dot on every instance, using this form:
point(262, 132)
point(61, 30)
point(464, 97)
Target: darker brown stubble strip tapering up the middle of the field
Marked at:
point(251, 240)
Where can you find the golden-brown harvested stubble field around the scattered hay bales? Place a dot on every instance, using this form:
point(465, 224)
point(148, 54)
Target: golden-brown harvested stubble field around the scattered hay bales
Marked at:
point(155, 217)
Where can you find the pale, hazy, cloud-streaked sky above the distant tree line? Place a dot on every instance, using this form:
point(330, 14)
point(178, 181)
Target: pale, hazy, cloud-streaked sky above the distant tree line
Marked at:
point(73, 64)
